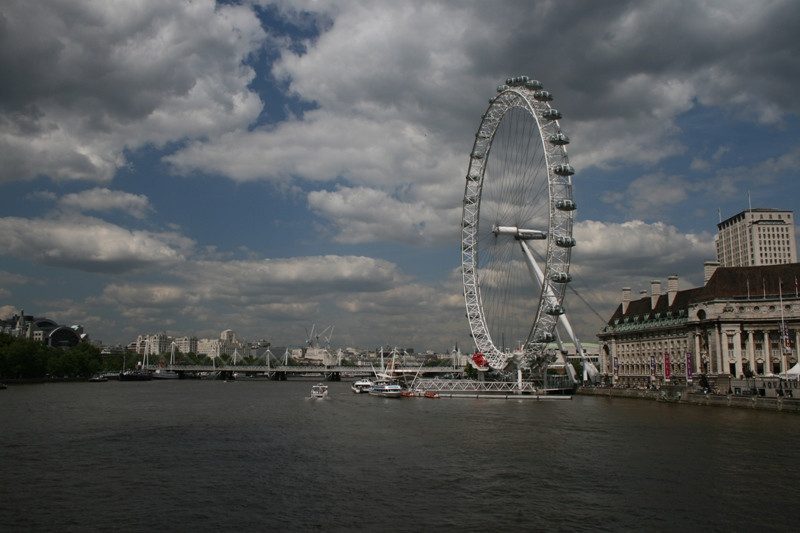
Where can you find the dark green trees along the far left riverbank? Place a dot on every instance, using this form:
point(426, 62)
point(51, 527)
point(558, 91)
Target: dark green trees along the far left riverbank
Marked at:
point(22, 358)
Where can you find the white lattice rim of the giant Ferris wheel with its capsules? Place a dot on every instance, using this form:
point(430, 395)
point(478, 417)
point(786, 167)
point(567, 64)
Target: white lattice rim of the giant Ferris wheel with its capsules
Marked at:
point(526, 95)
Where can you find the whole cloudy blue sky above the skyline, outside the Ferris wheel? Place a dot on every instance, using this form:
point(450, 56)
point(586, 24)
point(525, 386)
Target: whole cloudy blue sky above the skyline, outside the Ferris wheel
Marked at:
point(192, 166)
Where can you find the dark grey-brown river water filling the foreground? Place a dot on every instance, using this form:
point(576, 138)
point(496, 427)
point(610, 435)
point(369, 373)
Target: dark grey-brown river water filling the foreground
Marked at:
point(260, 456)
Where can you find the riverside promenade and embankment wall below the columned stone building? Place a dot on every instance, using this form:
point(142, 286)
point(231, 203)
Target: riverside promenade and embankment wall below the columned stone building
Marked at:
point(695, 396)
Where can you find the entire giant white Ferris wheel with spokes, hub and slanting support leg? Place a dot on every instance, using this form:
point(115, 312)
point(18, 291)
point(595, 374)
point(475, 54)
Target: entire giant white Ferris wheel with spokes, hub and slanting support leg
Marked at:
point(516, 227)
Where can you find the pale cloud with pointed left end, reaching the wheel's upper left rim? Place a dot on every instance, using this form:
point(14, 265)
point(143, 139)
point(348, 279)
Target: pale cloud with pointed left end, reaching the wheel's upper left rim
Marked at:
point(323, 147)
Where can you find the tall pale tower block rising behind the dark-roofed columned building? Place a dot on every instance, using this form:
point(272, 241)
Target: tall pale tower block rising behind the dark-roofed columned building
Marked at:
point(757, 237)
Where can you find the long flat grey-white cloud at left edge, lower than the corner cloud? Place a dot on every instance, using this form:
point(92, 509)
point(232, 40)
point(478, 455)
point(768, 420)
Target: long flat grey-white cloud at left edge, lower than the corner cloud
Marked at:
point(89, 244)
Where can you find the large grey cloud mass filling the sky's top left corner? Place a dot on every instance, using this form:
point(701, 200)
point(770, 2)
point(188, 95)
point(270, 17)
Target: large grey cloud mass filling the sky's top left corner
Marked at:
point(84, 81)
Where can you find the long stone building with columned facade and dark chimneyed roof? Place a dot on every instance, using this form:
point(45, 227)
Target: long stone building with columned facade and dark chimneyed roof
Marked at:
point(743, 322)
